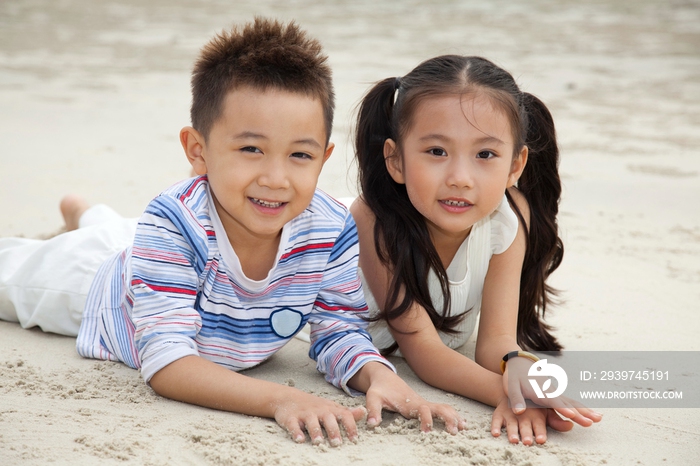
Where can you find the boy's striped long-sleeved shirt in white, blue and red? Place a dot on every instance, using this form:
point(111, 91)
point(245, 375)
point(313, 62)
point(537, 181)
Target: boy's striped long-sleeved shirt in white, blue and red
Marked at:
point(179, 291)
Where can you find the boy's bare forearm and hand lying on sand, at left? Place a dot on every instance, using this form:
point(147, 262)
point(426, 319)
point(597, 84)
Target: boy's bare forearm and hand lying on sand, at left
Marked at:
point(195, 380)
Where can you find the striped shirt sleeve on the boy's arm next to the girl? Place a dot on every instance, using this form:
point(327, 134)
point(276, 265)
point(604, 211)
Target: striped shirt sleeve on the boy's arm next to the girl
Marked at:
point(340, 343)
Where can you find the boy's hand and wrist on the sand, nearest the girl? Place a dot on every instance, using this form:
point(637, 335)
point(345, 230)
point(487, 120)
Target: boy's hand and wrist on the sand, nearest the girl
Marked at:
point(386, 390)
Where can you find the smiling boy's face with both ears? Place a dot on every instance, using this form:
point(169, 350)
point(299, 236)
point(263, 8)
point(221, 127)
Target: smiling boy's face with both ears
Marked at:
point(263, 158)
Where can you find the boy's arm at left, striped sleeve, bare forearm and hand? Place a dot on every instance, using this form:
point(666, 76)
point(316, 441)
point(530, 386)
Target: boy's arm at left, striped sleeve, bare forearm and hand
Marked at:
point(168, 257)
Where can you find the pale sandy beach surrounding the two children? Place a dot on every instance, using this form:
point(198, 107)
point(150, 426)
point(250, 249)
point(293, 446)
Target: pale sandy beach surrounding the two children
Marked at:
point(93, 95)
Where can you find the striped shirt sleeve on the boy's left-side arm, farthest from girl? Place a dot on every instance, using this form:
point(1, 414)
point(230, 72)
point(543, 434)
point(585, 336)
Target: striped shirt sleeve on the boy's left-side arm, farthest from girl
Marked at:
point(167, 259)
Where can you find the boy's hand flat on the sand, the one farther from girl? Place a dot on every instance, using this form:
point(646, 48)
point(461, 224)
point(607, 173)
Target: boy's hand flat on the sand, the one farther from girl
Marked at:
point(313, 414)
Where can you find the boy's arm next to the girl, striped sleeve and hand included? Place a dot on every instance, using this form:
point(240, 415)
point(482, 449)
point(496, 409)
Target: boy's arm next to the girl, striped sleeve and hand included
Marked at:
point(343, 349)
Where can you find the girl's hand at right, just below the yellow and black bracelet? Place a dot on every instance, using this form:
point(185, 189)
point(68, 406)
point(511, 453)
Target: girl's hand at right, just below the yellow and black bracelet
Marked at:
point(518, 389)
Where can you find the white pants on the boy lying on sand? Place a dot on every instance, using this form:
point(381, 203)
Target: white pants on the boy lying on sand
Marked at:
point(45, 282)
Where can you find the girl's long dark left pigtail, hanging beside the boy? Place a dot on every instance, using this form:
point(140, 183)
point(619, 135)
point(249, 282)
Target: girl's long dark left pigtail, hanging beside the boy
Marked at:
point(401, 237)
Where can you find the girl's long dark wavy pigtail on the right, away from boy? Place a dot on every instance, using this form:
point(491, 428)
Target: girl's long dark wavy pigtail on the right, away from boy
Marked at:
point(541, 186)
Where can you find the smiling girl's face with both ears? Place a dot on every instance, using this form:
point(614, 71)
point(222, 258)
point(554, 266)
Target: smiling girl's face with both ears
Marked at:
point(456, 161)
